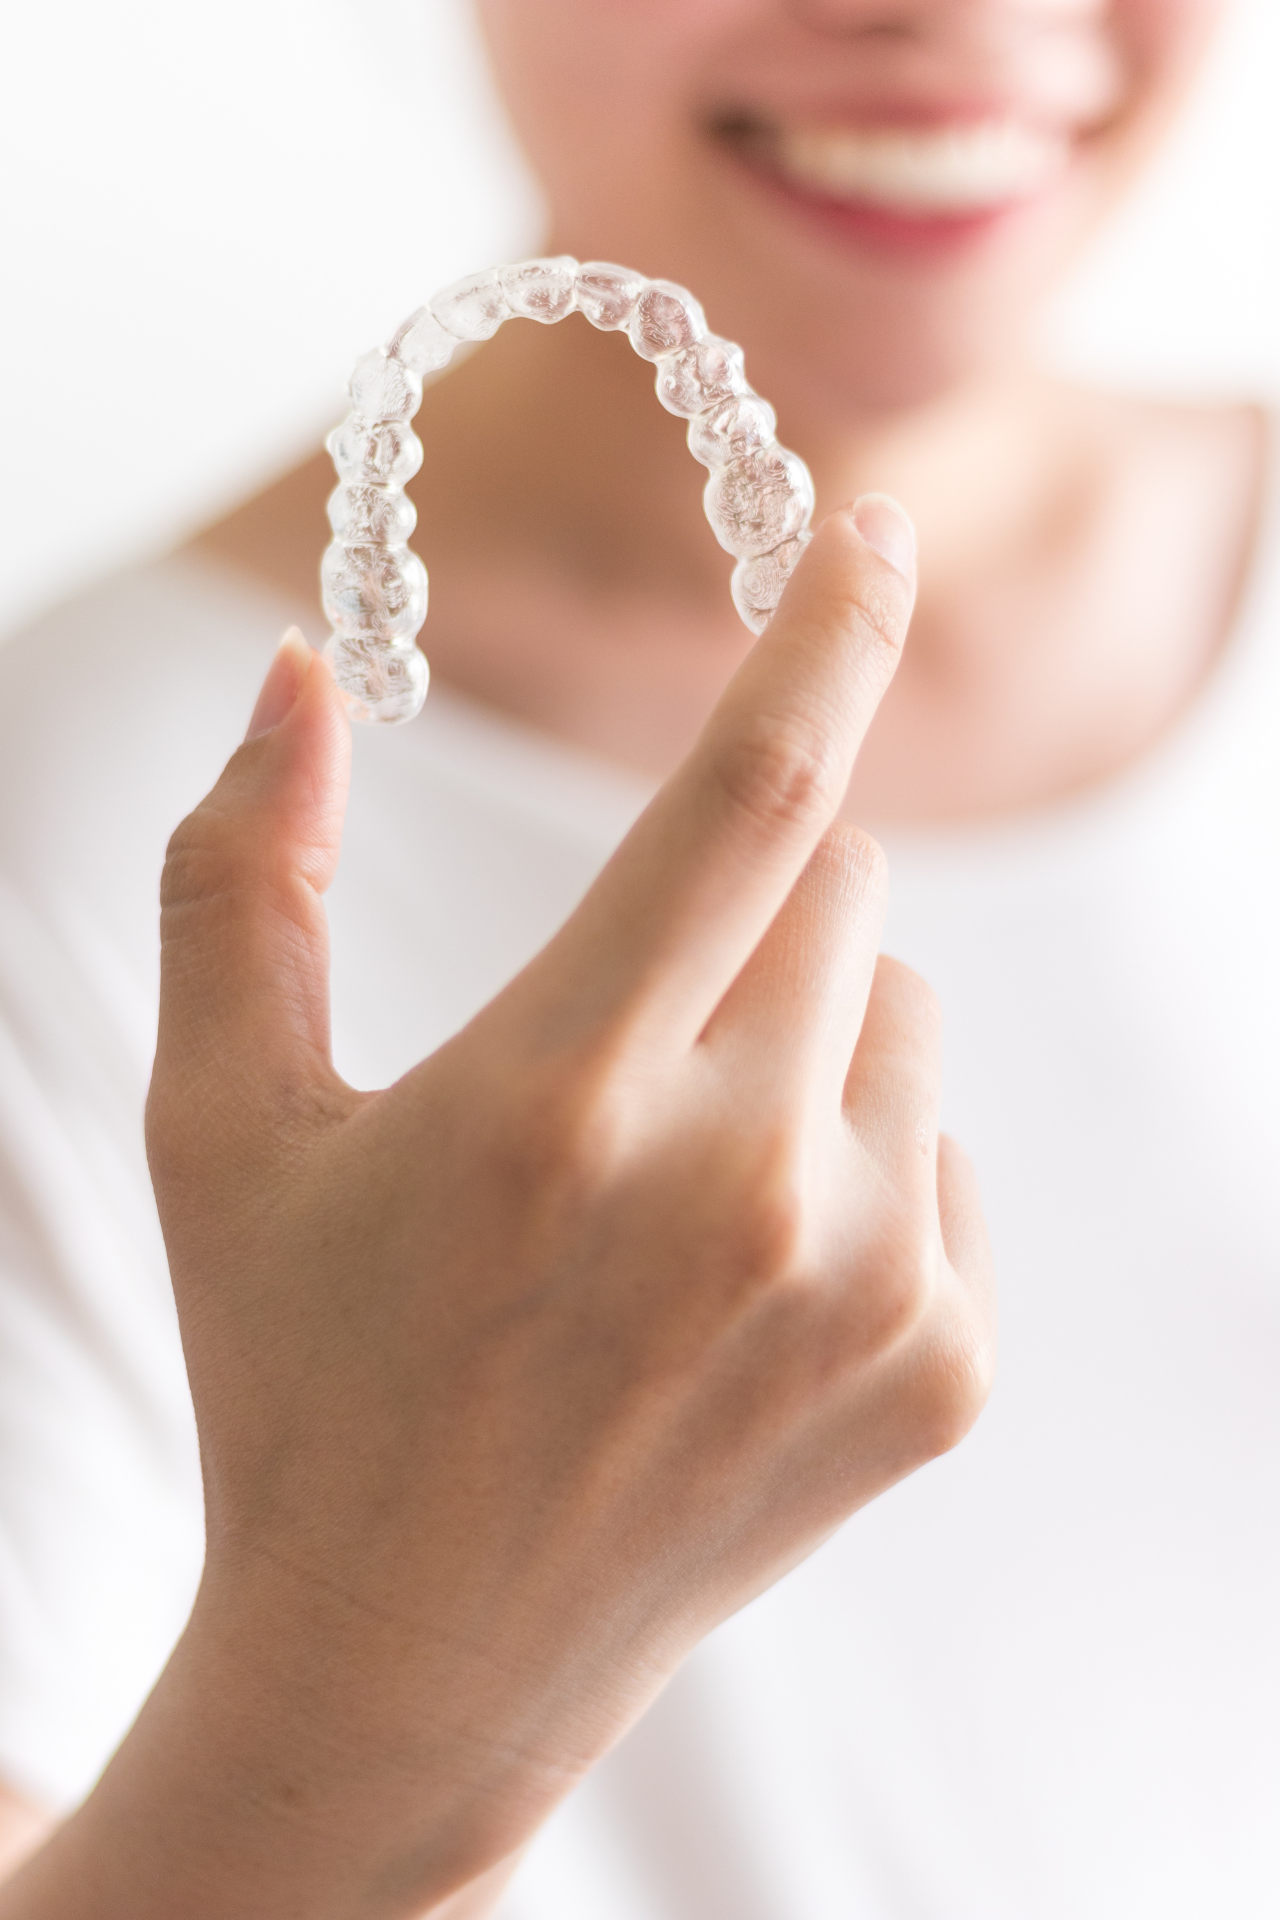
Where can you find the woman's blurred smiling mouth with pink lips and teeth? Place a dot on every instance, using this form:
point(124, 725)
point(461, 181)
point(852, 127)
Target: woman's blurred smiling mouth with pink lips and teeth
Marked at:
point(918, 183)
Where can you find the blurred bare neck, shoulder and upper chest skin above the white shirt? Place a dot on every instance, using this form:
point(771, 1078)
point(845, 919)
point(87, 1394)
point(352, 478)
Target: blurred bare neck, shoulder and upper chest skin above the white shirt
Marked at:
point(1081, 565)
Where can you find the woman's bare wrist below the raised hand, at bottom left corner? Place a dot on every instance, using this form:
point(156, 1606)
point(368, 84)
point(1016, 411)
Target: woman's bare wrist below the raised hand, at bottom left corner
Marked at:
point(262, 1781)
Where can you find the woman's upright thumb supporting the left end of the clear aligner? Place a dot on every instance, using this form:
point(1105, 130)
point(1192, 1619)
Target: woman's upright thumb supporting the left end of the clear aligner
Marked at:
point(245, 940)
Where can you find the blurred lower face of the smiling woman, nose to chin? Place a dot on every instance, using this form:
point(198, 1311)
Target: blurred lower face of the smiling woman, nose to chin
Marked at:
point(870, 195)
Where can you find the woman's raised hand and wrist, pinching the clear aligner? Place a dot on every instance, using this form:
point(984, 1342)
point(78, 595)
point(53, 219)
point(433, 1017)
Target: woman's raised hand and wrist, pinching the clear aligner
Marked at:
point(517, 1378)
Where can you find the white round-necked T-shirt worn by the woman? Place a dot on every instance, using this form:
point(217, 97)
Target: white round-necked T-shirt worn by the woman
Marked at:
point(1041, 1681)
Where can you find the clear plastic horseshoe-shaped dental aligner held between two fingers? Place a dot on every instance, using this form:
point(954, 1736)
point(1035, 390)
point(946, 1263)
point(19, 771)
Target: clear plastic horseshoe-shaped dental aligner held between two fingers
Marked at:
point(759, 496)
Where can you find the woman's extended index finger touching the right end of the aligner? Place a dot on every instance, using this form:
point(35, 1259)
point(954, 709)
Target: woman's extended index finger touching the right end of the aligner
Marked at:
point(703, 873)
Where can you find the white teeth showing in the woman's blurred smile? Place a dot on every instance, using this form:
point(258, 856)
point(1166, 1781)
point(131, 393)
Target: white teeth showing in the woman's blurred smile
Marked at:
point(947, 170)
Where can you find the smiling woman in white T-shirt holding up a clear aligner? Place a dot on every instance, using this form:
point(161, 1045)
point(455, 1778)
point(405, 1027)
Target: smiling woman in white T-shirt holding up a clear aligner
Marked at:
point(1039, 1677)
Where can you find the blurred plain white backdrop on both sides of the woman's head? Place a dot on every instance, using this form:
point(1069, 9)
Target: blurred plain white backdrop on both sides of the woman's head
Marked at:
point(210, 212)
